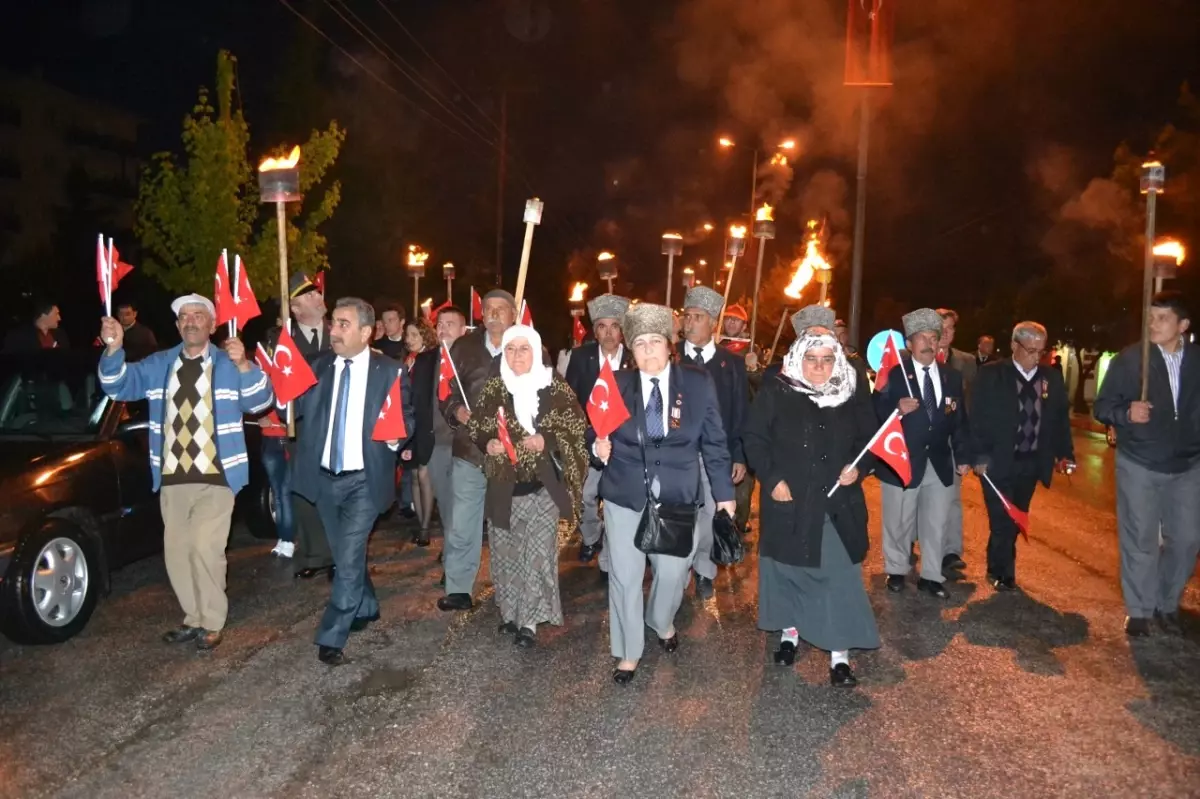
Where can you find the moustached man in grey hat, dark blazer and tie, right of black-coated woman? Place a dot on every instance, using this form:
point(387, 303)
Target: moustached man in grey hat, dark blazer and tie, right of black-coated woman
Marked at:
point(929, 397)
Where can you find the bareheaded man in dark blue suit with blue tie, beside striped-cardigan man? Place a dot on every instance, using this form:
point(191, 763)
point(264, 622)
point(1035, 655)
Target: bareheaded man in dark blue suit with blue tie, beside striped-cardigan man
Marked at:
point(339, 467)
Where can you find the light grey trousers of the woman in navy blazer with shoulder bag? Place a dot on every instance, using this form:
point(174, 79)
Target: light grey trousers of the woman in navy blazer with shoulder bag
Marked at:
point(628, 610)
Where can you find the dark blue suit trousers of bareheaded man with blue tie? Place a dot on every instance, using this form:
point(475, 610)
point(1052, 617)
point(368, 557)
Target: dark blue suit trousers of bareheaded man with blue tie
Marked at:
point(349, 515)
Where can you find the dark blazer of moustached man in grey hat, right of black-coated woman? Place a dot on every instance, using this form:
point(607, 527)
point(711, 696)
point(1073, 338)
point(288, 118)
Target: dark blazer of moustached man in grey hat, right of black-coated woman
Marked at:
point(943, 441)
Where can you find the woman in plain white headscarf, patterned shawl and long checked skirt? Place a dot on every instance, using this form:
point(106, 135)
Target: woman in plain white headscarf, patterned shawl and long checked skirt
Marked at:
point(526, 500)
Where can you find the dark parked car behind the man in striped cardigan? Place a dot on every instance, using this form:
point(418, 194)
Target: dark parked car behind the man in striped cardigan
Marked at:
point(76, 501)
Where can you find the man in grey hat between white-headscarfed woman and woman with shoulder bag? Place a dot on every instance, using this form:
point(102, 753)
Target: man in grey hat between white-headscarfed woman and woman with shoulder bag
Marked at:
point(607, 313)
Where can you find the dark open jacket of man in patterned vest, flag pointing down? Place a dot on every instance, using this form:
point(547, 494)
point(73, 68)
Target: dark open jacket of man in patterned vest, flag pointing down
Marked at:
point(994, 413)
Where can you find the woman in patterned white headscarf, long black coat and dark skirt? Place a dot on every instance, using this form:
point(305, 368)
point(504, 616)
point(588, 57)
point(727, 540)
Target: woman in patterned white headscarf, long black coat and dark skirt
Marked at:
point(805, 430)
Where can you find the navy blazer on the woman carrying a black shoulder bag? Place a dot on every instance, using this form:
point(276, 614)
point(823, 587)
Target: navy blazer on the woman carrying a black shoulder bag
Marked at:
point(674, 461)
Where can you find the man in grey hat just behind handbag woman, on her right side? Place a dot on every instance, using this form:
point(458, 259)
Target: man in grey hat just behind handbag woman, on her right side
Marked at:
point(703, 309)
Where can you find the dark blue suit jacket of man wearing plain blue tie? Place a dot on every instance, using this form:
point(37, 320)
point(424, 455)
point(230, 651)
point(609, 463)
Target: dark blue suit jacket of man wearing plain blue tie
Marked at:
point(317, 405)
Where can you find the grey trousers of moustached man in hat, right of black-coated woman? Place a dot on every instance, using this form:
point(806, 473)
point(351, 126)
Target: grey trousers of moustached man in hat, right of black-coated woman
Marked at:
point(920, 513)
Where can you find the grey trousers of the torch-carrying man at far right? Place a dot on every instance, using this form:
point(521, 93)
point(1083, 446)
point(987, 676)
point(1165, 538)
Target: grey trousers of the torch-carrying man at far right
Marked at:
point(1153, 578)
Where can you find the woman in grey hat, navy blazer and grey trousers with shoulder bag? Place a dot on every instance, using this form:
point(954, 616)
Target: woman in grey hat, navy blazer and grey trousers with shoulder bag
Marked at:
point(651, 484)
